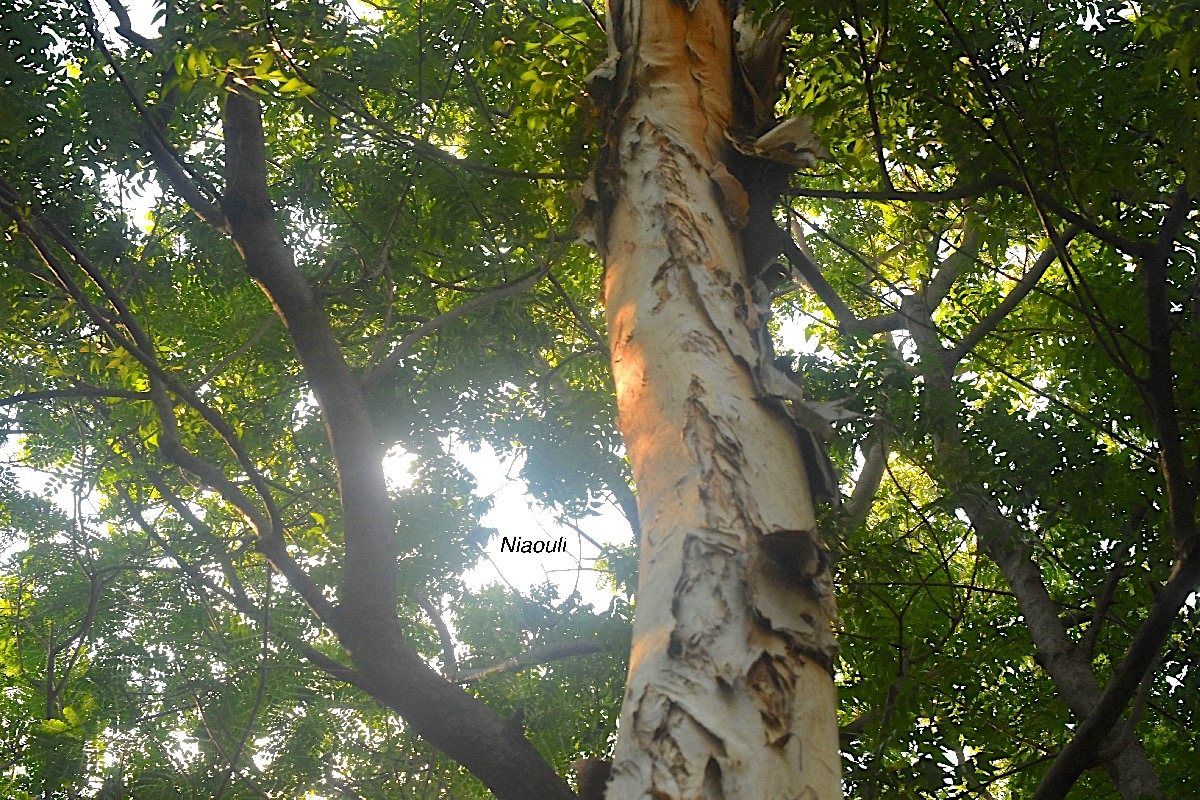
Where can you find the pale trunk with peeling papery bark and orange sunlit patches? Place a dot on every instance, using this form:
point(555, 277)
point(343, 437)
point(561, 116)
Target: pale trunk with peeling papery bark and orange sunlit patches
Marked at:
point(730, 691)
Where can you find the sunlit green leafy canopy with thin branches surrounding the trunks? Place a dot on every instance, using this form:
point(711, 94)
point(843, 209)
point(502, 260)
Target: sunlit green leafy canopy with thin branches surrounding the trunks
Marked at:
point(997, 268)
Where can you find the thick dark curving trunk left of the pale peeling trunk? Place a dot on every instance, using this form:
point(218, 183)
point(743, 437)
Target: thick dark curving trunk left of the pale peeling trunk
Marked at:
point(389, 667)
